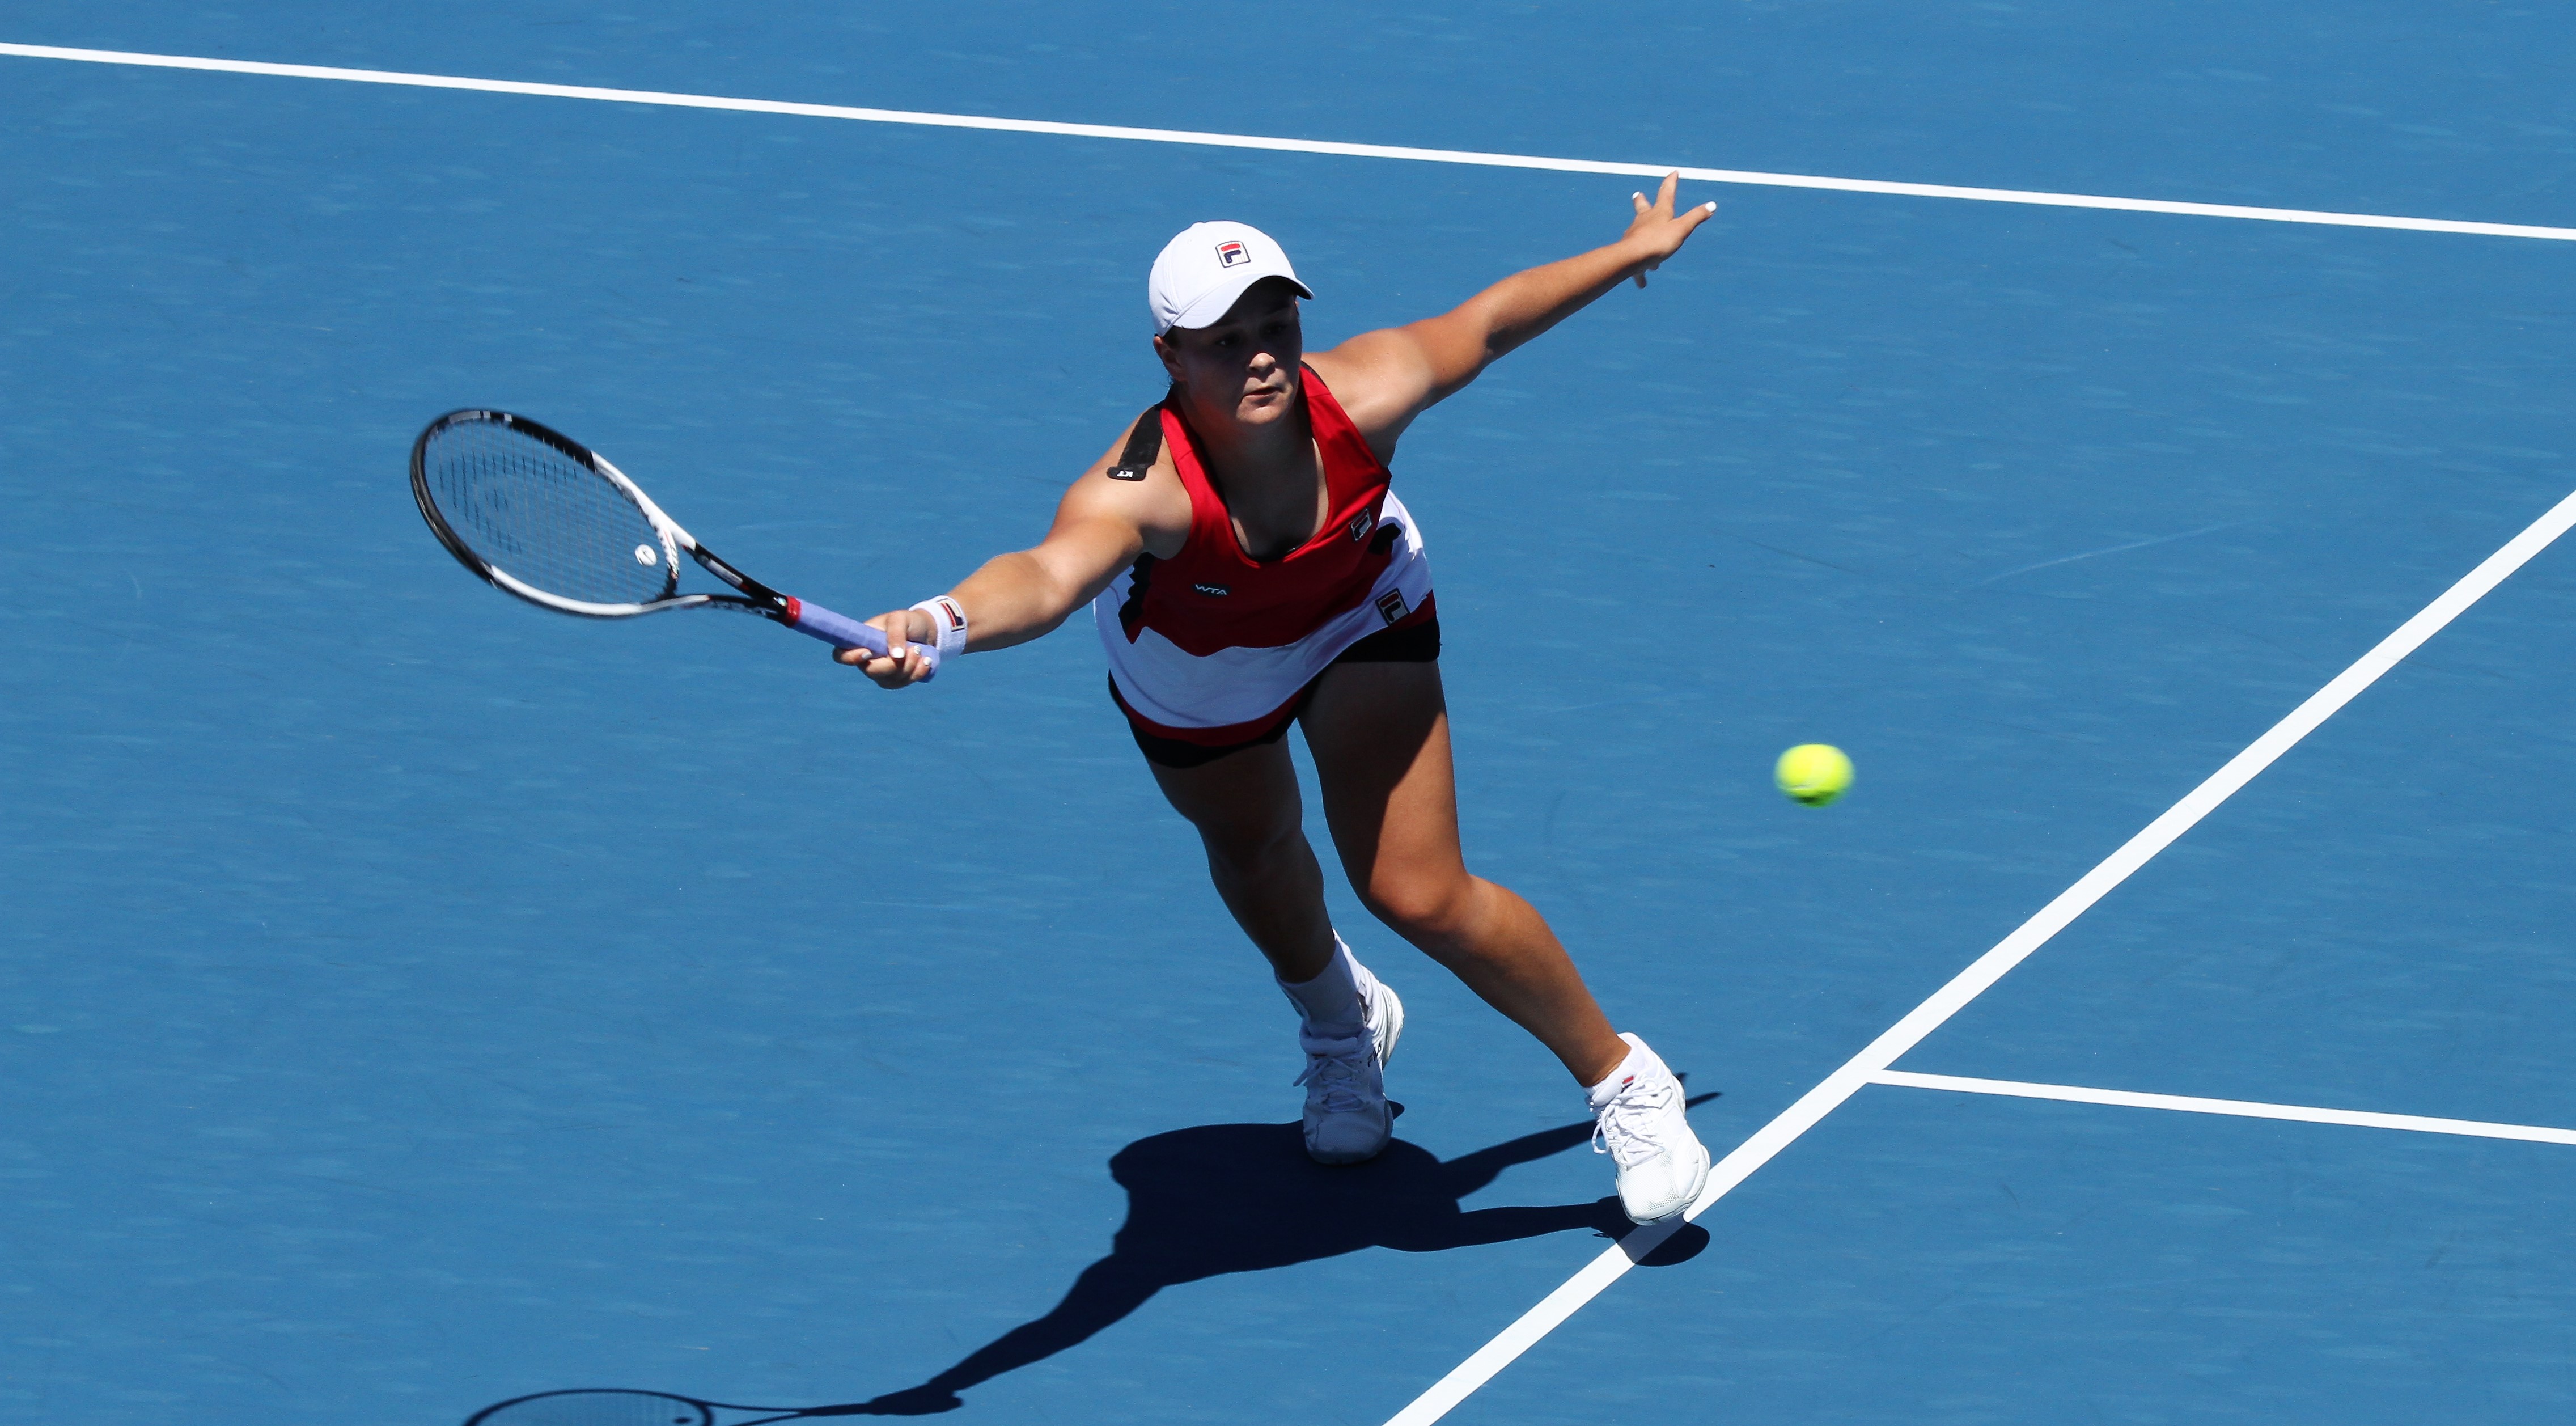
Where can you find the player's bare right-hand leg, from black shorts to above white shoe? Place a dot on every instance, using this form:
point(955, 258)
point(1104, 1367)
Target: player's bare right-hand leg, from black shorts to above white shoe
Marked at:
point(1379, 736)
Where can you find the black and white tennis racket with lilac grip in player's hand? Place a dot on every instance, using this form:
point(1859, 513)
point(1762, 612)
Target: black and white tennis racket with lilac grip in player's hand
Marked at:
point(553, 522)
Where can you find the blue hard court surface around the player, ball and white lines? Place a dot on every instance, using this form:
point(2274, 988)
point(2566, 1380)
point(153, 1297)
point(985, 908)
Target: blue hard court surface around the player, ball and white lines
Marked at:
point(419, 1002)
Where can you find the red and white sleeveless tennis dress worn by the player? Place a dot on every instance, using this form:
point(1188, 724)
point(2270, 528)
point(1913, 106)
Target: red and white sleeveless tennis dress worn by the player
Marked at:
point(1217, 649)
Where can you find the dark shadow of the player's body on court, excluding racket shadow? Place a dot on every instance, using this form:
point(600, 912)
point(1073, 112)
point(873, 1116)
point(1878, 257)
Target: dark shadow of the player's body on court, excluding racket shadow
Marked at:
point(1245, 1198)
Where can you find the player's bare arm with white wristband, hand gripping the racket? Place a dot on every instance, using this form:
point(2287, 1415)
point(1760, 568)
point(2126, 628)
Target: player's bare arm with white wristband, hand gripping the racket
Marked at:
point(1101, 527)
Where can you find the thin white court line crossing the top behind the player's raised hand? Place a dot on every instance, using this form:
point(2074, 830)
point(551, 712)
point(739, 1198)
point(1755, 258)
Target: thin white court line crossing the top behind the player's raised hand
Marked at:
point(1287, 146)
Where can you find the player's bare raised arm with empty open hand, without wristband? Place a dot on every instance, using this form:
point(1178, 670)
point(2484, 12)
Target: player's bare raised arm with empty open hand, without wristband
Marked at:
point(1392, 375)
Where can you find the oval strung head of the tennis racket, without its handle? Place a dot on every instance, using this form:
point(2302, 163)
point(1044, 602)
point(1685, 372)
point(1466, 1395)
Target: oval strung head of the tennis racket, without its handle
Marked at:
point(545, 517)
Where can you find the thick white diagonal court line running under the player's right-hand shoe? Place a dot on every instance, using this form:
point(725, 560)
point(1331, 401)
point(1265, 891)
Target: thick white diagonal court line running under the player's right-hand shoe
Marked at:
point(1993, 966)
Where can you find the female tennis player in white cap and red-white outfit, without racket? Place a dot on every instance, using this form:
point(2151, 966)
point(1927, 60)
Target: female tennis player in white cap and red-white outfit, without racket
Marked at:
point(1251, 569)
